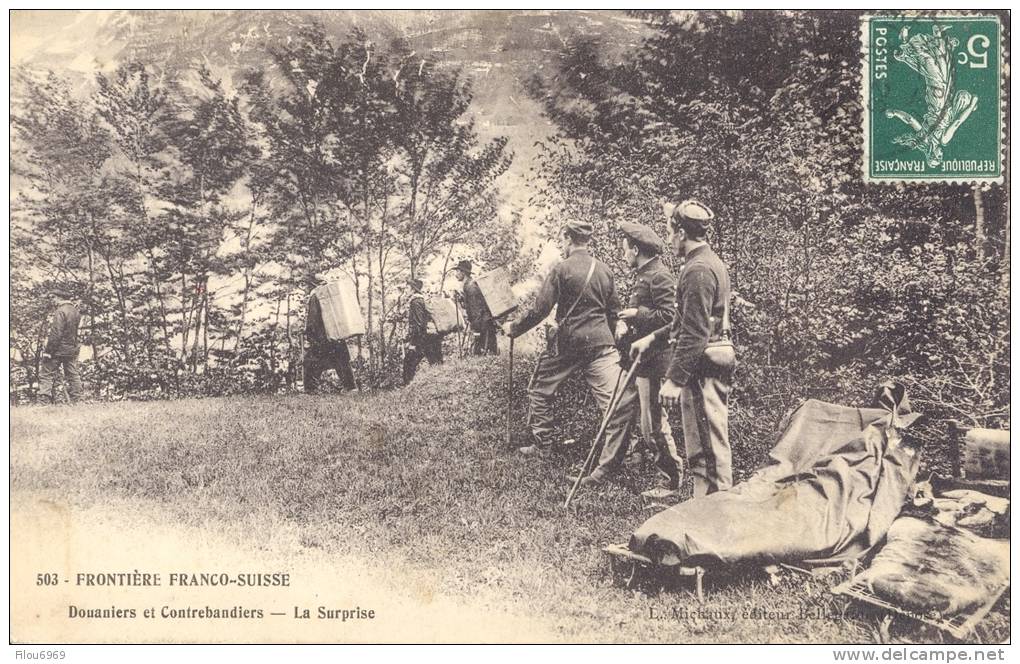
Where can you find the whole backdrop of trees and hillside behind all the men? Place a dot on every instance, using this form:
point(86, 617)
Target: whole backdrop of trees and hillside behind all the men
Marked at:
point(188, 180)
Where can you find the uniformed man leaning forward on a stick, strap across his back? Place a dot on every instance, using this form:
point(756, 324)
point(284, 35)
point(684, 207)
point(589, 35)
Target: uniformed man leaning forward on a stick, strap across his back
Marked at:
point(587, 304)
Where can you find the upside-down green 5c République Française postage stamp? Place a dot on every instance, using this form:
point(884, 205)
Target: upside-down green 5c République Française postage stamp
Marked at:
point(933, 96)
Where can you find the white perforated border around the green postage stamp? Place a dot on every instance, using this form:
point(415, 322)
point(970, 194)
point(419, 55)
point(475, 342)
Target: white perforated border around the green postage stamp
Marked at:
point(865, 97)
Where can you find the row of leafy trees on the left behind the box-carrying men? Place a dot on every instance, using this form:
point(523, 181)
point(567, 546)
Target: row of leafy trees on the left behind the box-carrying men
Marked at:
point(189, 213)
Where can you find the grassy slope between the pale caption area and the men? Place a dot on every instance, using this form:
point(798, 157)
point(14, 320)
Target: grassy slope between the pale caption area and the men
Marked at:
point(423, 476)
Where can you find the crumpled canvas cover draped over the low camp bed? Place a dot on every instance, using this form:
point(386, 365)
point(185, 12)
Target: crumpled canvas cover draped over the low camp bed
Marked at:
point(836, 481)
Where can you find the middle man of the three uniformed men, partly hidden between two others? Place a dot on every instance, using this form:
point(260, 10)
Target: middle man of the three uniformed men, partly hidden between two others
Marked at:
point(652, 307)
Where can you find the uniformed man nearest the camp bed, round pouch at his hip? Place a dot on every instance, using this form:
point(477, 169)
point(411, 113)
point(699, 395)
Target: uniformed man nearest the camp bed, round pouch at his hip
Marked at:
point(702, 364)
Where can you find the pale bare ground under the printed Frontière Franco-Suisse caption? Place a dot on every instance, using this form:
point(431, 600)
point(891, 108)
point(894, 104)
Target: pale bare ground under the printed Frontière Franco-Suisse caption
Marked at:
point(52, 538)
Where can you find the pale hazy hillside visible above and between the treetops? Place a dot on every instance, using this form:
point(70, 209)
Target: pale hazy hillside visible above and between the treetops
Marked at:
point(499, 50)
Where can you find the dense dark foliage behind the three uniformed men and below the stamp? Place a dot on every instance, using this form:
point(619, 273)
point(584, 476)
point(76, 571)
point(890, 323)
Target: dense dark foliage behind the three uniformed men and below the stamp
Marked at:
point(838, 285)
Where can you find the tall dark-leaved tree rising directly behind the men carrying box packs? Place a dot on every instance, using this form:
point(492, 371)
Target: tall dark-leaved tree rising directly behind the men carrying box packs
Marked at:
point(378, 172)
